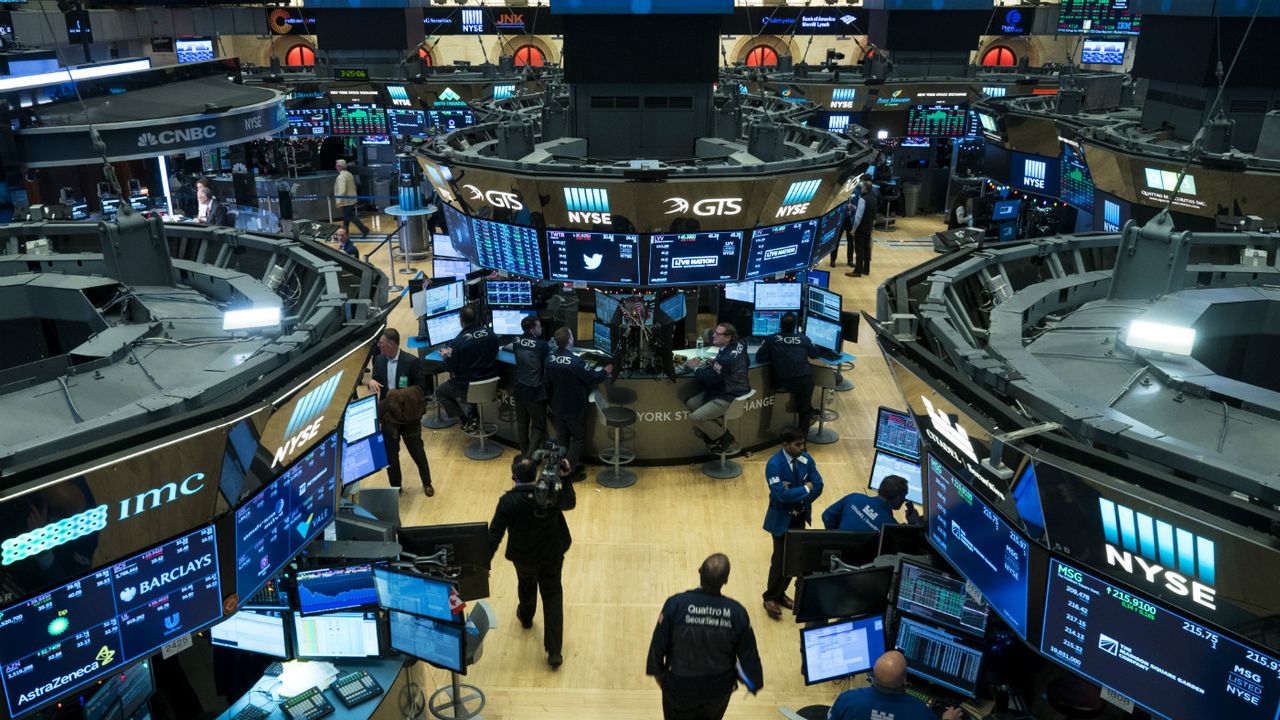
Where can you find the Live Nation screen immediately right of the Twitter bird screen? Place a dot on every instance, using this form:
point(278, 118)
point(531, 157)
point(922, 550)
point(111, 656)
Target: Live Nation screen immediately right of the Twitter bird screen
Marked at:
point(696, 258)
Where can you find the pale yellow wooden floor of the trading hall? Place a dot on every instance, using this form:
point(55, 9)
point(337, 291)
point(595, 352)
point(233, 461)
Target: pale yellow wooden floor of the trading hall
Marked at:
point(636, 548)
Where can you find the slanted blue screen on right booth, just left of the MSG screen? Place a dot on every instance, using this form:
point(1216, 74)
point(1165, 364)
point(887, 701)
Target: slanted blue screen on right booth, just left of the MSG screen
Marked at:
point(980, 545)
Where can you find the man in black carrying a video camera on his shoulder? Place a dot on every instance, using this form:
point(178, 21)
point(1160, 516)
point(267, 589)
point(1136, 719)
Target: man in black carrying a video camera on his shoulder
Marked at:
point(540, 540)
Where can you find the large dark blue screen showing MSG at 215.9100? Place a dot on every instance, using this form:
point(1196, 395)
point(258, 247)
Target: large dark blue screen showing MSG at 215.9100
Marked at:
point(1159, 659)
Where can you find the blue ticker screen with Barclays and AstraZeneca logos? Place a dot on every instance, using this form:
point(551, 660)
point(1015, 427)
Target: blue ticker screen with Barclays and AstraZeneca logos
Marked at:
point(100, 623)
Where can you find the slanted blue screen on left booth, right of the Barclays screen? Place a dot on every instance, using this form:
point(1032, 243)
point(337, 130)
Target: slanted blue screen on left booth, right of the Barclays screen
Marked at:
point(287, 514)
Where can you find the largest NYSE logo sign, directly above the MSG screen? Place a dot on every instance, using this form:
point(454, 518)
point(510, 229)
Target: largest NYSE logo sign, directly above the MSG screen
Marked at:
point(1159, 553)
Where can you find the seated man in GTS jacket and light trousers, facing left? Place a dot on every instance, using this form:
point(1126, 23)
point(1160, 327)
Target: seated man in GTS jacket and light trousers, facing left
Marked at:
point(723, 381)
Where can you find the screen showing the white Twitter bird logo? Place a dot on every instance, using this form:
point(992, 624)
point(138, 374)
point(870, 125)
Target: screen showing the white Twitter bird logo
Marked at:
point(595, 258)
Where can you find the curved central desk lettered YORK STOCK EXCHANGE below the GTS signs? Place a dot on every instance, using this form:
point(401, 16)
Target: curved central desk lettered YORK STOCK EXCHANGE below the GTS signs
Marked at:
point(664, 432)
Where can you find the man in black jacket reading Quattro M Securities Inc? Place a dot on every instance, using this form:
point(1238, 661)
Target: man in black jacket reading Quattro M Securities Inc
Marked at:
point(701, 641)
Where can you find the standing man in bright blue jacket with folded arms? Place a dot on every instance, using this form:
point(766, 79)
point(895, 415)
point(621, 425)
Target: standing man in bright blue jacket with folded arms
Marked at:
point(794, 485)
